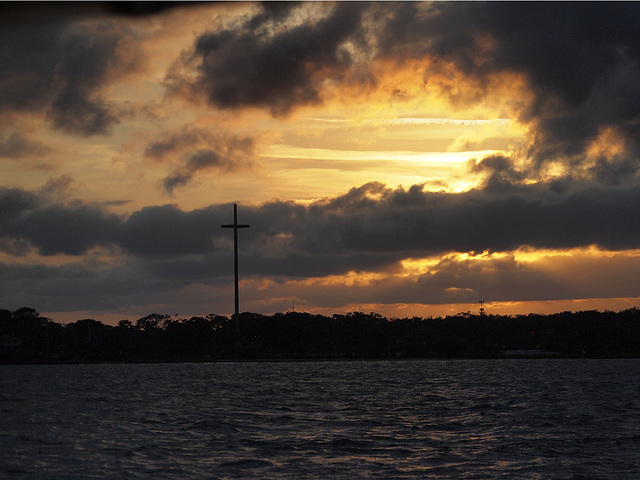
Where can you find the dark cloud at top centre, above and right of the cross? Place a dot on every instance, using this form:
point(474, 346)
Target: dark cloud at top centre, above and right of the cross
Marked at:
point(252, 66)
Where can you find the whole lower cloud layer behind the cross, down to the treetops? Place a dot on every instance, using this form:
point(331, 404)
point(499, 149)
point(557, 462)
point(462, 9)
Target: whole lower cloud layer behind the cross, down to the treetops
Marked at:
point(304, 252)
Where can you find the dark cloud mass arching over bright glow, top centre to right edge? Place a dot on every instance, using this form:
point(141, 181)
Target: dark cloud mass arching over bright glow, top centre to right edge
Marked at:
point(579, 62)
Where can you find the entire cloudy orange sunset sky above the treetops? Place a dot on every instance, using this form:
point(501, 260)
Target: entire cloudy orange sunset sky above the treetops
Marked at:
point(408, 159)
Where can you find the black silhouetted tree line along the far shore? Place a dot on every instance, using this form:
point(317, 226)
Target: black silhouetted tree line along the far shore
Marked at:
point(28, 337)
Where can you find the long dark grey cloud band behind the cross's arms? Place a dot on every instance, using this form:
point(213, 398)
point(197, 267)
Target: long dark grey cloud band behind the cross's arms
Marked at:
point(371, 227)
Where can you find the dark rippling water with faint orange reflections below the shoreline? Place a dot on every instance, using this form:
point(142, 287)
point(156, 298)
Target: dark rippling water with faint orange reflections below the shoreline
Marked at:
point(529, 419)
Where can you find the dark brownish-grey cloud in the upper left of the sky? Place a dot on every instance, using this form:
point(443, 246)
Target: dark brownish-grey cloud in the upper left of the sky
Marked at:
point(61, 69)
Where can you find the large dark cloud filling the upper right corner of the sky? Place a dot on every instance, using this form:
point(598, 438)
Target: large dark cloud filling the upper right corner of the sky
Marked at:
point(581, 61)
